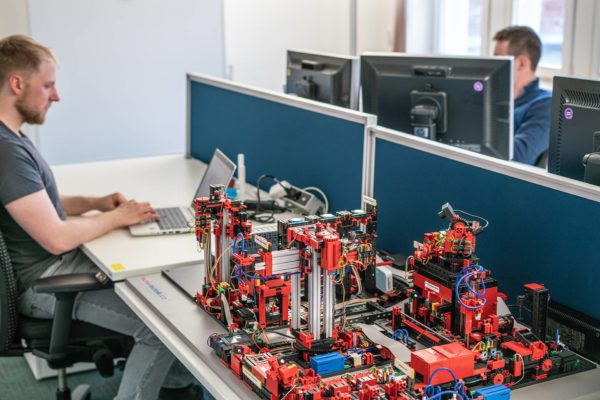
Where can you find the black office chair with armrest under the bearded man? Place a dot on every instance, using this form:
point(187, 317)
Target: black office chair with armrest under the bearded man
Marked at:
point(60, 341)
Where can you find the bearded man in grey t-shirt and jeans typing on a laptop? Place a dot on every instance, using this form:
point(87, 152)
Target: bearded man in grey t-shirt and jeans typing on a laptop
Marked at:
point(43, 241)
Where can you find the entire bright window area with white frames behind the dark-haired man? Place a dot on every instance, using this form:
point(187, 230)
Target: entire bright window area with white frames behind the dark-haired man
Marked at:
point(569, 30)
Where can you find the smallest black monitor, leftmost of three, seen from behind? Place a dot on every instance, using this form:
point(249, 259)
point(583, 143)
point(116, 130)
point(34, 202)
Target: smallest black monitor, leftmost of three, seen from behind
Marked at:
point(332, 79)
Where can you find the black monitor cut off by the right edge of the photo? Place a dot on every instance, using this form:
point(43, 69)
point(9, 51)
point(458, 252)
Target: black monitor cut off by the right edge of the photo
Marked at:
point(575, 127)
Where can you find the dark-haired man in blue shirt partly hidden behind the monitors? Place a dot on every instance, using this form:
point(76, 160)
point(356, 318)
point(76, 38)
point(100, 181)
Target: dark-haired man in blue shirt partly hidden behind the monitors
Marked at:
point(533, 105)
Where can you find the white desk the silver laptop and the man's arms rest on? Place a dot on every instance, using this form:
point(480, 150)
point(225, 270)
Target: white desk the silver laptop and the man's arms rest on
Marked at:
point(162, 180)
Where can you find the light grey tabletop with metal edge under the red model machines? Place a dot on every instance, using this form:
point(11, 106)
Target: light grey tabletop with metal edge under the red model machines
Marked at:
point(185, 329)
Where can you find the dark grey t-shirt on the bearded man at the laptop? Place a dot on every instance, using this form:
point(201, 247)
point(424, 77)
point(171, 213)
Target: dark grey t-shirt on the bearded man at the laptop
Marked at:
point(23, 171)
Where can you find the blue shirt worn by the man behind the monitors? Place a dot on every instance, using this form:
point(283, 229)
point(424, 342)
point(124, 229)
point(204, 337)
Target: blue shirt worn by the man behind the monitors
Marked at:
point(532, 123)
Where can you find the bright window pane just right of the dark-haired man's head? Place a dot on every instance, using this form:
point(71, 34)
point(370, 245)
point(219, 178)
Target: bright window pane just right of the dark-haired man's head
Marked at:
point(547, 18)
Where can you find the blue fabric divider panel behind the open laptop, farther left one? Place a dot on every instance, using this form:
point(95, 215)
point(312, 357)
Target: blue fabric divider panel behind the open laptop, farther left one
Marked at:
point(304, 147)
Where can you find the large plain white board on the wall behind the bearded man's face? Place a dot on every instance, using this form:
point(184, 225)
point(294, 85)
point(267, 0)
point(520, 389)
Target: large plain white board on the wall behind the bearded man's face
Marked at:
point(122, 73)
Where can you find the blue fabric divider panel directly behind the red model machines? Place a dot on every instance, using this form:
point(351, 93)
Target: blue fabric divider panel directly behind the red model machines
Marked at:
point(536, 234)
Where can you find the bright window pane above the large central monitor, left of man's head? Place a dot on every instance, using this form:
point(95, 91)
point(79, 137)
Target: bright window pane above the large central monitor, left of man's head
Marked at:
point(460, 27)
